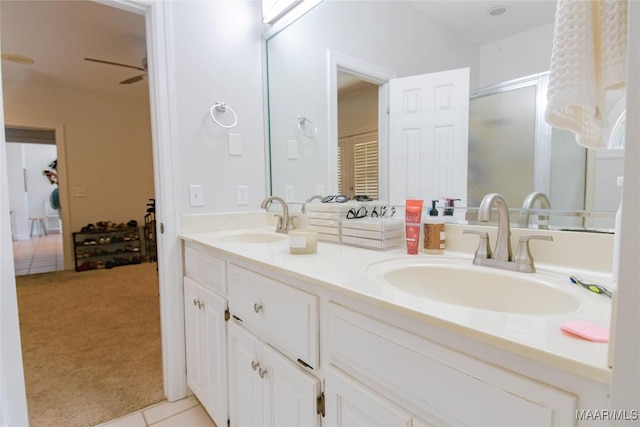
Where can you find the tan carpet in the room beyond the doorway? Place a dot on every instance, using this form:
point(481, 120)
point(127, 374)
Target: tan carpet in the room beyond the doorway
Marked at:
point(90, 344)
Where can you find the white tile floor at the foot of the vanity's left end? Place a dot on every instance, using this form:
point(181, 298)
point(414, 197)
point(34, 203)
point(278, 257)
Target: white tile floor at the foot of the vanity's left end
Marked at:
point(183, 413)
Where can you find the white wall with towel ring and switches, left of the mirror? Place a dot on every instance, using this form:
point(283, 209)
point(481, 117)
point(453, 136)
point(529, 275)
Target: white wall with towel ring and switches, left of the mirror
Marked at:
point(217, 57)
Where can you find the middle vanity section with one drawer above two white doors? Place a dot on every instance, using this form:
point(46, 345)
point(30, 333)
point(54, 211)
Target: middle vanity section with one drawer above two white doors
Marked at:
point(273, 346)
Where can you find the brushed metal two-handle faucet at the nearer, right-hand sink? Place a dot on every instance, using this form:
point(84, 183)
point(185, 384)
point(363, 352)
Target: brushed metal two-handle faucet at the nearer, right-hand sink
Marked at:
point(502, 256)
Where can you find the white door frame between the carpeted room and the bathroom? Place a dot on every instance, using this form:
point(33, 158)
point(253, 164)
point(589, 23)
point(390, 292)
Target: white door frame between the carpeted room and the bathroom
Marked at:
point(161, 92)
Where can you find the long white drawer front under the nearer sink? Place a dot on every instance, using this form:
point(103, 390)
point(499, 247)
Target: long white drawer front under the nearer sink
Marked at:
point(442, 385)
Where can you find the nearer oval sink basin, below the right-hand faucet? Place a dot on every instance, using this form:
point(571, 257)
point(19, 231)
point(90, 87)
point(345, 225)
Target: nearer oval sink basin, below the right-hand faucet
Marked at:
point(476, 287)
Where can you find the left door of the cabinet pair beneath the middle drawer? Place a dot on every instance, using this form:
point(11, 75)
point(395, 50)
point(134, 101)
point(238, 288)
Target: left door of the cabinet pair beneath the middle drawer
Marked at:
point(245, 386)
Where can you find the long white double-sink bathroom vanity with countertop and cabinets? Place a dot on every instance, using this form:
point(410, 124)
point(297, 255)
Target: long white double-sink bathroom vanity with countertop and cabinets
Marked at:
point(351, 336)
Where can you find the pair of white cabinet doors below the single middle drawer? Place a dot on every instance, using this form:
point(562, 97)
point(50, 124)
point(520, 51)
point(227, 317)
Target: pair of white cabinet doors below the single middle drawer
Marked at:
point(266, 388)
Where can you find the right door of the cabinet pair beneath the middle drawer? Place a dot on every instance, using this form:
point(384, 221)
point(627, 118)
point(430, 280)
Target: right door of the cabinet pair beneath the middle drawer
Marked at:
point(290, 392)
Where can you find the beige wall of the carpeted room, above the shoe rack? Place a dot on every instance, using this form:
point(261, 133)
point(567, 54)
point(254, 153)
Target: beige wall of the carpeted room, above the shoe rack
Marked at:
point(108, 147)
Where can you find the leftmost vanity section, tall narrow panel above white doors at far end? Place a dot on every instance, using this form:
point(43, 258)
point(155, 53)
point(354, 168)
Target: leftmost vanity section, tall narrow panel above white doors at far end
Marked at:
point(205, 311)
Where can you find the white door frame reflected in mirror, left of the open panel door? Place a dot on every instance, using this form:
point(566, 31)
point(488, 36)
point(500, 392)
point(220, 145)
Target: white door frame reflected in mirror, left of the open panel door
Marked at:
point(370, 73)
